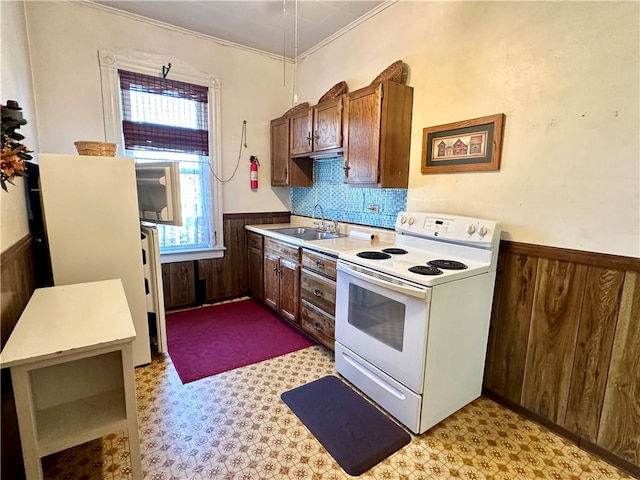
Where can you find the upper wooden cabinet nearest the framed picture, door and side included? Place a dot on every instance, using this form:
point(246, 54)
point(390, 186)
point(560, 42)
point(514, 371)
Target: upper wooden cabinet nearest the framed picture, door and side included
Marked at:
point(377, 139)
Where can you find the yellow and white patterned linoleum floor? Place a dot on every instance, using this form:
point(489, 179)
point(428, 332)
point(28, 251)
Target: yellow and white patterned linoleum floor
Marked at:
point(235, 426)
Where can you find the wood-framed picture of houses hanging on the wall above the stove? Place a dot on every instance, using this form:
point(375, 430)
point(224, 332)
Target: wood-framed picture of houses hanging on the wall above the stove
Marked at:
point(466, 146)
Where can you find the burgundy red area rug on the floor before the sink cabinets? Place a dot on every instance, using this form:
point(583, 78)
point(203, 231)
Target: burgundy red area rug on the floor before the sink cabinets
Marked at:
point(210, 340)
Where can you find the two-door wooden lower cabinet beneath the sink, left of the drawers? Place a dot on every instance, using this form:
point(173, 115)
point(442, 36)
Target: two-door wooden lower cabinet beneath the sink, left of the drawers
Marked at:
point(282, 278)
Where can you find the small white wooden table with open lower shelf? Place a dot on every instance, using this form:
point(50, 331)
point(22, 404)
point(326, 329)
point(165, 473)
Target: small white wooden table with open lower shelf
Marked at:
point(72, 370)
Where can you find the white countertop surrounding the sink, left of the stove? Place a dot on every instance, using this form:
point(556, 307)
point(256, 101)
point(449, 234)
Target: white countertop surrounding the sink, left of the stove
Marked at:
point(331, 246)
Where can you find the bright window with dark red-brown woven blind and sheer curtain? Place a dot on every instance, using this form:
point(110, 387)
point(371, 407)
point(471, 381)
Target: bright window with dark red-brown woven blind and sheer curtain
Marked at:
point(168, 120)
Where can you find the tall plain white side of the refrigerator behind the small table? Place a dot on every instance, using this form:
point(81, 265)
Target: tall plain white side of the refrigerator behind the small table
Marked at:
point(90, 207)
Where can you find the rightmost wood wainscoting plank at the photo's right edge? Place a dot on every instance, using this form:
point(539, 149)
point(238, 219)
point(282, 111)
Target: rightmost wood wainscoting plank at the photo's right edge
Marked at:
point(619, 430)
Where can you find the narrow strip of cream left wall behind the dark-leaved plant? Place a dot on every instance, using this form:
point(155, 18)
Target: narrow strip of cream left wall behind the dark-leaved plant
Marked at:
point(16, 85)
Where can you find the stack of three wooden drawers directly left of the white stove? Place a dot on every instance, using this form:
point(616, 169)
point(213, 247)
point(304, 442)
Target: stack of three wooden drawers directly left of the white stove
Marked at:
point(318, 296)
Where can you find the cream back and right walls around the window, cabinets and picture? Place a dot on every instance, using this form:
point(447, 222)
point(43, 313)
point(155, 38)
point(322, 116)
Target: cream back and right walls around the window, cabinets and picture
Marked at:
point(565, 74)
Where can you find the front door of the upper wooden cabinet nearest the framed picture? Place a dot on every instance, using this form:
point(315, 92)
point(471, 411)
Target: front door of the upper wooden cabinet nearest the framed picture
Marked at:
point(362, 135)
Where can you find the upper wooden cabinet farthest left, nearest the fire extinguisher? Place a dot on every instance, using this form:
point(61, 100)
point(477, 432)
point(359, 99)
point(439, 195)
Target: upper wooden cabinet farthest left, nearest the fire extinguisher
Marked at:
point(286, 172)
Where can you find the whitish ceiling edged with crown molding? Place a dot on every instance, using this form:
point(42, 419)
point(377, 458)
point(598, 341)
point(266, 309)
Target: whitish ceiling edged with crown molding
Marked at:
point(280, 27)
